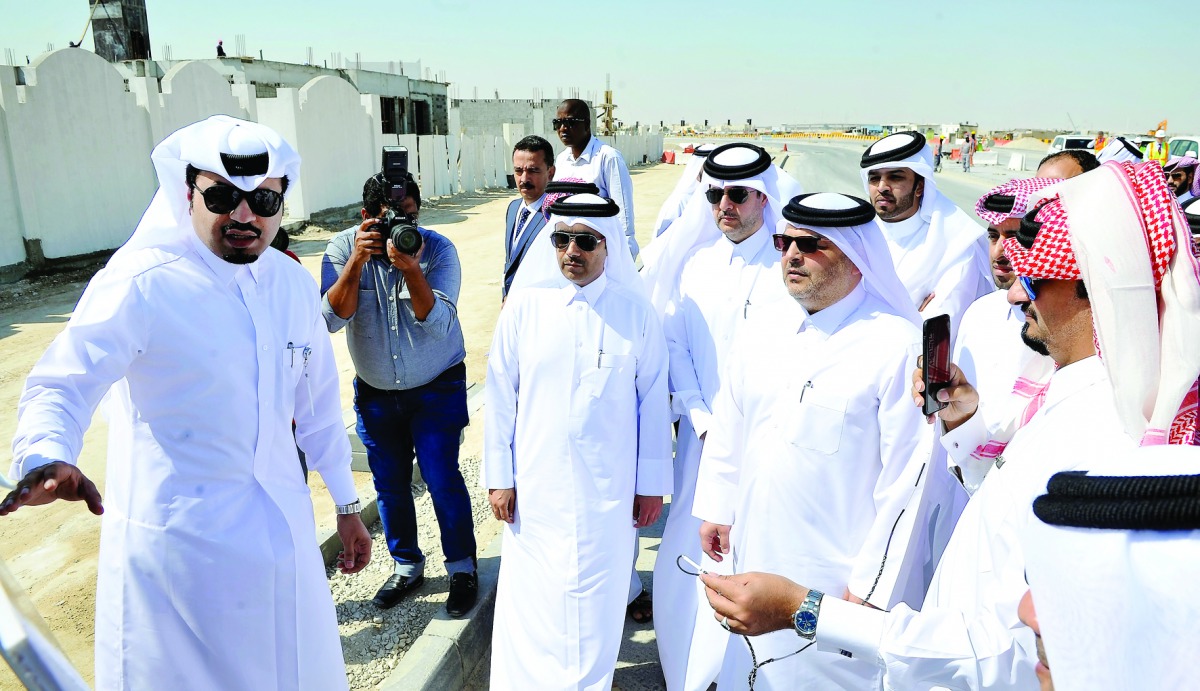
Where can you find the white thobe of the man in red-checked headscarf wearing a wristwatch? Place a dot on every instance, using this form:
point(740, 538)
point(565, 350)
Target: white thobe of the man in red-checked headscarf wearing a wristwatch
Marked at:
point(968, 634)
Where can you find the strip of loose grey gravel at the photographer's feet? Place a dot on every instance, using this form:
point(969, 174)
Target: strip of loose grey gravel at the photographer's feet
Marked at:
point(374, 640)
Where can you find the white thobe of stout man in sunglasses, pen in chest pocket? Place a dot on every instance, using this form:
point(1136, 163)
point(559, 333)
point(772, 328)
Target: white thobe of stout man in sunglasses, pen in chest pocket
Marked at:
point(815, 456)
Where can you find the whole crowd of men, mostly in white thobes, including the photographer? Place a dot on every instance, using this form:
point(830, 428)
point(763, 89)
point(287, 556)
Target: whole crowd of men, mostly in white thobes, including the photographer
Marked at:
point(823, 534)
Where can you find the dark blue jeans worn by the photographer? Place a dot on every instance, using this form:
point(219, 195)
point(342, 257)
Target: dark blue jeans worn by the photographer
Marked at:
point(428, 422)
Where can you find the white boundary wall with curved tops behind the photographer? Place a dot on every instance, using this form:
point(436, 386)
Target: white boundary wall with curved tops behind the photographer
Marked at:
point(76, 136)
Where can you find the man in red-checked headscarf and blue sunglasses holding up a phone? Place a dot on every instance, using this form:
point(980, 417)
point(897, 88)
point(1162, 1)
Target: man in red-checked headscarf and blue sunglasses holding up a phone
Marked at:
point(1103, 263)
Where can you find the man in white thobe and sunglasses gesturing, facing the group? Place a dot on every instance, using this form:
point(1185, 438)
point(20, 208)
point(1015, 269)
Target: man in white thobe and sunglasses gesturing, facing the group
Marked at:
point(208, 345)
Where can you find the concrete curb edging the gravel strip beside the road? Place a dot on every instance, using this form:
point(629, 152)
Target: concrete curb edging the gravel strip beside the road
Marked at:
point(449, 650)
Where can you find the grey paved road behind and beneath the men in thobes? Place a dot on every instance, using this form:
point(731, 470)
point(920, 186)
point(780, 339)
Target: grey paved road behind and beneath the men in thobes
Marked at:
point(820, 167)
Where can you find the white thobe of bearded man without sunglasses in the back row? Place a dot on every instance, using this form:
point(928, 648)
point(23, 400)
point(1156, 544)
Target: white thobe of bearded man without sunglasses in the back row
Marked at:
point(952, 274)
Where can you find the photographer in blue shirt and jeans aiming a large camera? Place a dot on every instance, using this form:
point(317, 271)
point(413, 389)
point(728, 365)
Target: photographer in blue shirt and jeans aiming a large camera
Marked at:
point(410, 392)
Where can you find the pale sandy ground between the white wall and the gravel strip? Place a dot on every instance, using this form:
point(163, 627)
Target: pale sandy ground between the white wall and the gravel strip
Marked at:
point(52, 550)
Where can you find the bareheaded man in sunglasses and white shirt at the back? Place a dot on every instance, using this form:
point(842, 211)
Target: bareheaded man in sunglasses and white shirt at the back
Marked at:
point(593, 161)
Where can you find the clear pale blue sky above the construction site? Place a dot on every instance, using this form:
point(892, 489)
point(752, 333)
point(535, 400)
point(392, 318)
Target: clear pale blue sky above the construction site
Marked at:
point(1017, 63)
